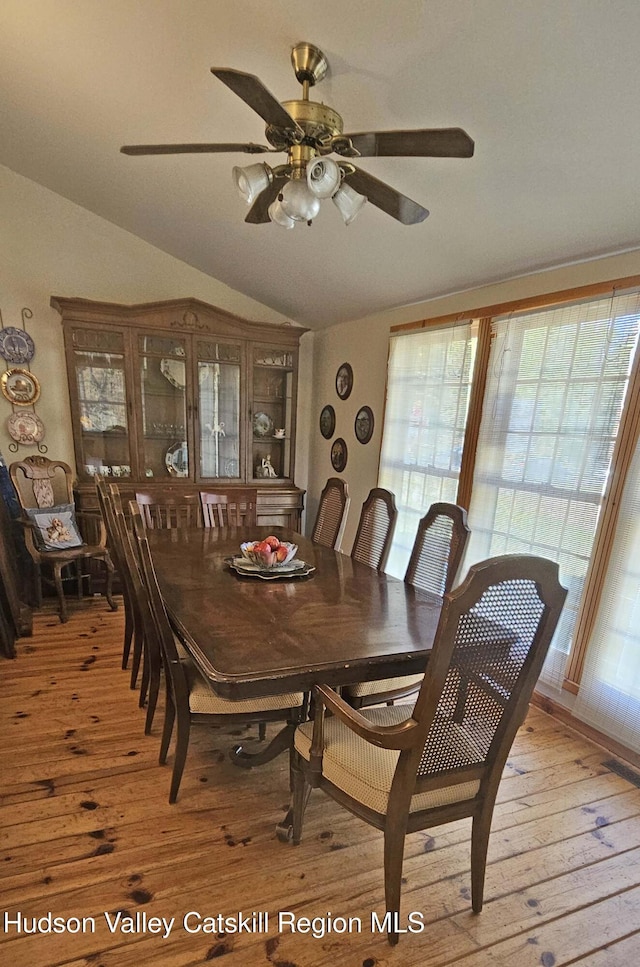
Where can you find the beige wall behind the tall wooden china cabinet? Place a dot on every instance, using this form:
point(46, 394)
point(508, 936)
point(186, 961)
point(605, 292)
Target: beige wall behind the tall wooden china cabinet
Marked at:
point(50, 246)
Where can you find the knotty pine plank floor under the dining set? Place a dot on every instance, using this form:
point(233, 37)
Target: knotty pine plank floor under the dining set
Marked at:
point(86, 831)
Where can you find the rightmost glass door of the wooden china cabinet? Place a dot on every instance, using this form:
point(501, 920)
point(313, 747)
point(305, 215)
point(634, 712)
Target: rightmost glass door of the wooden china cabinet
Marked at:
point(272, 413)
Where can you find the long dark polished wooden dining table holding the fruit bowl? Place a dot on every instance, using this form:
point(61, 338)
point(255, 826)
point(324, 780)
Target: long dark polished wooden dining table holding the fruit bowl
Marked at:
point(334, 621)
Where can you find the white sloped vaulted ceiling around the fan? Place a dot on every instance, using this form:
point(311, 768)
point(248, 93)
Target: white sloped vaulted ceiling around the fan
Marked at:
point(548, 89)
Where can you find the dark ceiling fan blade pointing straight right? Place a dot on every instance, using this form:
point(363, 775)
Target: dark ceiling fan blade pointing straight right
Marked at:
point(426, 143)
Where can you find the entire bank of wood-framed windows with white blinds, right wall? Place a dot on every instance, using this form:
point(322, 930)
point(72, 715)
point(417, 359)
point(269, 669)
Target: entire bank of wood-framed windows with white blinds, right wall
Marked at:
point(557, 397)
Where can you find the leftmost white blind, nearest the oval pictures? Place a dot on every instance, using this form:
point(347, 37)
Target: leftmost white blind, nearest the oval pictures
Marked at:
point(428, 385)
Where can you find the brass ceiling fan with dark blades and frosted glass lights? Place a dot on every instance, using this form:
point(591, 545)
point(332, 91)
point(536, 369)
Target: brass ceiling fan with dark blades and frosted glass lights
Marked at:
point(309, 132)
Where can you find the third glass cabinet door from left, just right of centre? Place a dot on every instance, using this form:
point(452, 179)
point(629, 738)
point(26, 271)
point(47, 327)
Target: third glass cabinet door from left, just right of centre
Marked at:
point(219, 409)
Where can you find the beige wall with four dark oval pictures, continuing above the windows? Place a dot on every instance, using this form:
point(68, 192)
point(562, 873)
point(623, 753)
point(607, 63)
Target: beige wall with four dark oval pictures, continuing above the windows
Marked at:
point(364, 344)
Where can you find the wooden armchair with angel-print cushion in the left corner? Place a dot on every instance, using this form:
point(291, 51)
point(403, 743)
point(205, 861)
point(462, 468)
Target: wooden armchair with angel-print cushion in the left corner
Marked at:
point(56, 535)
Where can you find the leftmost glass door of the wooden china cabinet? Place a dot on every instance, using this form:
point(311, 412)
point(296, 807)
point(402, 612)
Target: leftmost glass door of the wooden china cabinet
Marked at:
point(102, 426)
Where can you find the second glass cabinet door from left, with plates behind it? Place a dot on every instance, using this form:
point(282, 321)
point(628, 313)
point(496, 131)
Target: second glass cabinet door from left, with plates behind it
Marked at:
point(163, 389)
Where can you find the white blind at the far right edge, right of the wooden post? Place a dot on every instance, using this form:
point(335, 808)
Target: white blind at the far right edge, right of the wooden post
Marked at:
point(609, 696)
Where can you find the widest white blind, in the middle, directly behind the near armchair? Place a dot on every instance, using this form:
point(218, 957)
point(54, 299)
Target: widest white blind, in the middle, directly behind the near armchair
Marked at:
point(554, 394)
